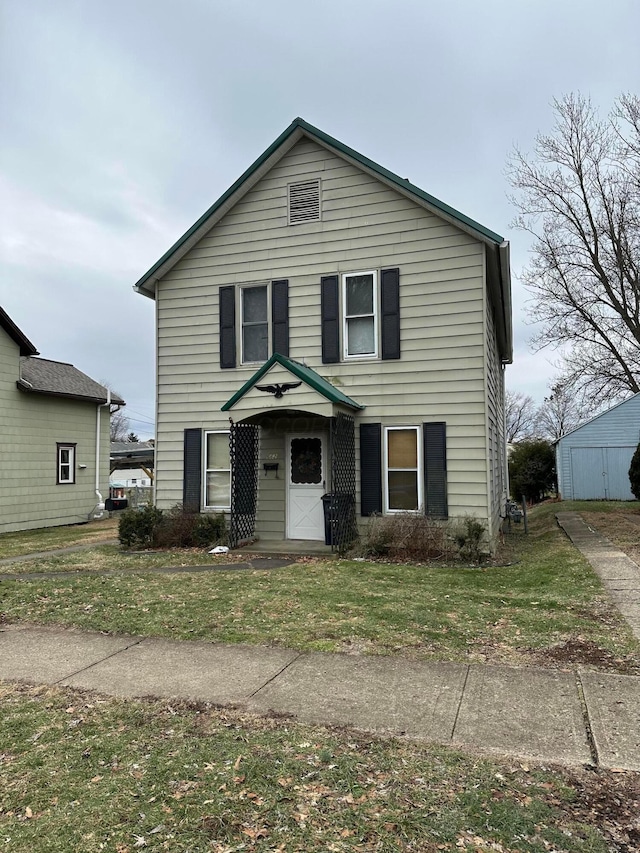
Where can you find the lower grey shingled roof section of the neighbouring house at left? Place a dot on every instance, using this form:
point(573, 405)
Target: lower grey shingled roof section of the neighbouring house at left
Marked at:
point(58, 379)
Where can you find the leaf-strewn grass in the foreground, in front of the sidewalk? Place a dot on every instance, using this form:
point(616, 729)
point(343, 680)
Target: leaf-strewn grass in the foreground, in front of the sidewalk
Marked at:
point(82, 772)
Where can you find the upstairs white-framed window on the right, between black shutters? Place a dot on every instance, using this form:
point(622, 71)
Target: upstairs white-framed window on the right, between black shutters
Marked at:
point(360, 300)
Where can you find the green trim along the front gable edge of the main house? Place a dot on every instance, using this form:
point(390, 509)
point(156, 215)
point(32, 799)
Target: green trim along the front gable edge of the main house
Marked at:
point(299, 124)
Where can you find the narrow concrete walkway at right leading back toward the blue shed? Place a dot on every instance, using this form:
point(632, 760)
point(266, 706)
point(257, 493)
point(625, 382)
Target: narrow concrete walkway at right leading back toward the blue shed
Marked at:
point(619, 574)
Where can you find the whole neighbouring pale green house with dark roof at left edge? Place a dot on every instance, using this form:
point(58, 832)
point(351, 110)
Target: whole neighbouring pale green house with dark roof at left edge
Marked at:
point(54, 437)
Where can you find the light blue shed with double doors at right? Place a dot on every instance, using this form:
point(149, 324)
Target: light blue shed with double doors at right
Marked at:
point(593, 460)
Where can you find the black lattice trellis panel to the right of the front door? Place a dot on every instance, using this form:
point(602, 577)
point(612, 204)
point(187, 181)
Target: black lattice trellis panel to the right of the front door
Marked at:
point(342, 499)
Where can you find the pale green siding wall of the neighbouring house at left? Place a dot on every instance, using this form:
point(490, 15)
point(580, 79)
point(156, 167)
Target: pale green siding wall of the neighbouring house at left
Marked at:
point(30, 427)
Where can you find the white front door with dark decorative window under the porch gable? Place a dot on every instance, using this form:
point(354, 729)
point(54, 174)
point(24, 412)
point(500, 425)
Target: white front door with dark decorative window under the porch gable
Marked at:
point(306, 483)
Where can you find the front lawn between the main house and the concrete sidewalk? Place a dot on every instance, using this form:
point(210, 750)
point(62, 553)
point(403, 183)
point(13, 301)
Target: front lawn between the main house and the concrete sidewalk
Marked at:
point(544, 607)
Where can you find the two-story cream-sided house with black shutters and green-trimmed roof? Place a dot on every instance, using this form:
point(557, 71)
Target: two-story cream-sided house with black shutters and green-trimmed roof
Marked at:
point(327, 327)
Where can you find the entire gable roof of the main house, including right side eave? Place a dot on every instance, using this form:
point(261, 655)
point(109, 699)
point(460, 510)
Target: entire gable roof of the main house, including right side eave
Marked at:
point(499, 276)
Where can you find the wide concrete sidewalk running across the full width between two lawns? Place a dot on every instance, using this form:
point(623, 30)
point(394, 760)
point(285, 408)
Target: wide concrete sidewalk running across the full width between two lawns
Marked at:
point(571, 717)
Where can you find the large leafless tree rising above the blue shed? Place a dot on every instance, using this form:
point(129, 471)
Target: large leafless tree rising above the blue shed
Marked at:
point(579, 196)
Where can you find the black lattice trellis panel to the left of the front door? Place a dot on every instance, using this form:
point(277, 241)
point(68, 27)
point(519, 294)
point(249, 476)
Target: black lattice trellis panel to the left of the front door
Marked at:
point(243, 450)
